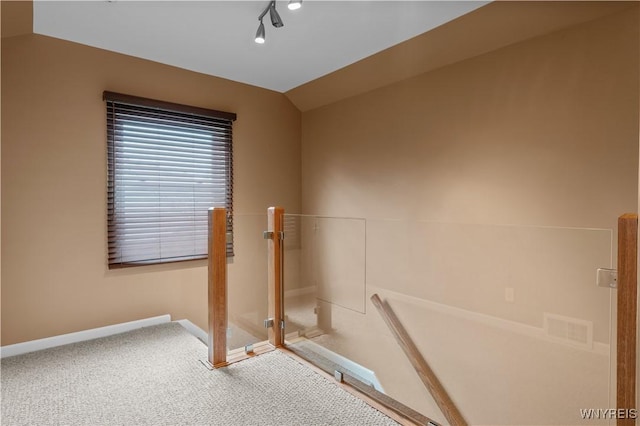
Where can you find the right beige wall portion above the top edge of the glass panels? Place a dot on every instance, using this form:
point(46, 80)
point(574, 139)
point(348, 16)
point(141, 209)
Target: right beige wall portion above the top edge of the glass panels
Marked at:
point(542, 132)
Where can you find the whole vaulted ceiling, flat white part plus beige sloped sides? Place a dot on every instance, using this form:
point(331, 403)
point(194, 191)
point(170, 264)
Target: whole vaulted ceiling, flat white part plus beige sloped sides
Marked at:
point(326, 51)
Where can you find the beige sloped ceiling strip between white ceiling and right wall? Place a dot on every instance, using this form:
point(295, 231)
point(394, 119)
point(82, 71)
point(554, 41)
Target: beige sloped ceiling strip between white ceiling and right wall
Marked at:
point(490, 27)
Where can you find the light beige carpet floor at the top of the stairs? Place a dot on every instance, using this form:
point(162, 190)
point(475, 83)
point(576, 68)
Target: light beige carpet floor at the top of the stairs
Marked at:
point(153, 376)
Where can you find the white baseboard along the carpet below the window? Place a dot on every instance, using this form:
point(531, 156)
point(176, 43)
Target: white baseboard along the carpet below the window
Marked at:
point(80, 336)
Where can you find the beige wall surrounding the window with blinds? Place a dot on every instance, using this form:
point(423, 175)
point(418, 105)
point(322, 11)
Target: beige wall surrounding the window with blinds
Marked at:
point(54, 277)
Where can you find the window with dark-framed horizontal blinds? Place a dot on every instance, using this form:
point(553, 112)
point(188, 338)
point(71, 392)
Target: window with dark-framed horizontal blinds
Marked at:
point(167, 165)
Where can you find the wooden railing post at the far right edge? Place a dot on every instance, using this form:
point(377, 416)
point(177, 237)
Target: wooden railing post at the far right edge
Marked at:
point(627, 316)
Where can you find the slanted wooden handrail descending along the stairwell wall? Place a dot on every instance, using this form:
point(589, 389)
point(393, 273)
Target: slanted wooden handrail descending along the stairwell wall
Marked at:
point(437, 391)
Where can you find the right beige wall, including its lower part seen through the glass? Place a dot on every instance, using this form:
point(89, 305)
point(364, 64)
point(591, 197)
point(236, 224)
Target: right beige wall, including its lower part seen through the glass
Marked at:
point(539, 134)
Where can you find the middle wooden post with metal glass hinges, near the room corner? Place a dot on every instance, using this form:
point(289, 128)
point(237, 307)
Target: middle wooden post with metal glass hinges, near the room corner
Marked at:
point(275, 230)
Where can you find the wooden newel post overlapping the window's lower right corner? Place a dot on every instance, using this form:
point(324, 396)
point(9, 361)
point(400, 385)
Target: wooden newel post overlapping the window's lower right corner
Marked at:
point(217, 290)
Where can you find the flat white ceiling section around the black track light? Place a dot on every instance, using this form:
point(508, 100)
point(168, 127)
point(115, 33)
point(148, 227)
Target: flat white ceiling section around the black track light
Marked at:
point(216, 37)
